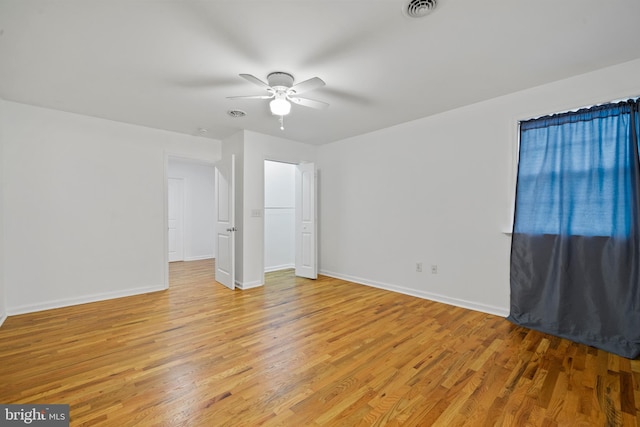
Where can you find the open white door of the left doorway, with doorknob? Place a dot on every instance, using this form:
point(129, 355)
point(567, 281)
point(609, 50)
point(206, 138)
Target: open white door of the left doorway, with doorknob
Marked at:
point(225, 230)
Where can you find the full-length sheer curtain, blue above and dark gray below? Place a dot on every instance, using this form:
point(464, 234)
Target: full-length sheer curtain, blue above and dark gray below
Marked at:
point(575, 255)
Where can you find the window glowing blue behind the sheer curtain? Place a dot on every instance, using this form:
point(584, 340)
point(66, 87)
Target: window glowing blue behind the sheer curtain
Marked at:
point(574, 173)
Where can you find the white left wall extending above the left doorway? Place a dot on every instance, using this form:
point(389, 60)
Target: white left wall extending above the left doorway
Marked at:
point(85, 206)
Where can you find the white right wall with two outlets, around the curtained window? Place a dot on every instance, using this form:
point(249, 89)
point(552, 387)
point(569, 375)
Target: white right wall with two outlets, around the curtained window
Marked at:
point(439, 191)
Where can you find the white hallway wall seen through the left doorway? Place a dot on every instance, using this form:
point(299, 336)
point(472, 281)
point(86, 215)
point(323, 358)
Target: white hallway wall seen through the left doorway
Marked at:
point(199, 207)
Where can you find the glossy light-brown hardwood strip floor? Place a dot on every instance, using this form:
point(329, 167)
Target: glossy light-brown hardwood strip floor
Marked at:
point(299, 352)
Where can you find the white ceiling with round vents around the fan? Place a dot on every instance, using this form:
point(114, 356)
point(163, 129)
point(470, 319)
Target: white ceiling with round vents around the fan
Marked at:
point(170, 64)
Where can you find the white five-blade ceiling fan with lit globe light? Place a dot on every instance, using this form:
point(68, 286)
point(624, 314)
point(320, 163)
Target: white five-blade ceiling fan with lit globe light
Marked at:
point(283, 92)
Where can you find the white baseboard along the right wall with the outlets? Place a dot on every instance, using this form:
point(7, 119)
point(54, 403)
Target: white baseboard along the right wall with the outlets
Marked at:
point(470, 305)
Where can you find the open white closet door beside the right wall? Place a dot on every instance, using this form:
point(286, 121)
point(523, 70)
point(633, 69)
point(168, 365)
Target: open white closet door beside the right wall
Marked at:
point(306, 244)
